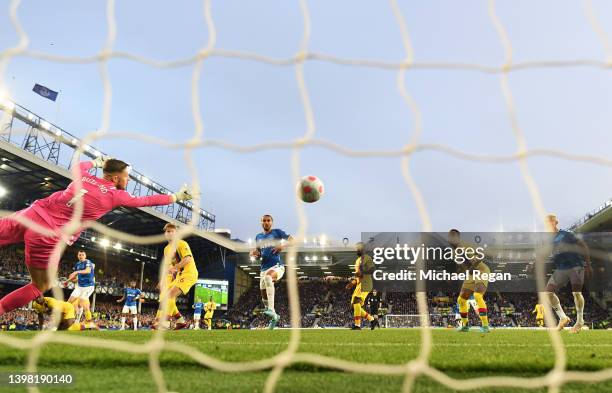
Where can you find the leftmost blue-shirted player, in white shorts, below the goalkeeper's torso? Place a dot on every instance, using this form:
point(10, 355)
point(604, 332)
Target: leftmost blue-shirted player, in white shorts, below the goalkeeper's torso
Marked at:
point(84, 275)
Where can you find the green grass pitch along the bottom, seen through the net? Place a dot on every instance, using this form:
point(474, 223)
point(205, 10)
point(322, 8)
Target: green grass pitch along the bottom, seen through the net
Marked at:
point(502, 352)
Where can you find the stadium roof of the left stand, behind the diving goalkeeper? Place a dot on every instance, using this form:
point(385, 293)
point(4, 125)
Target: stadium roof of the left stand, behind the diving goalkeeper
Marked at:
point(34, 164)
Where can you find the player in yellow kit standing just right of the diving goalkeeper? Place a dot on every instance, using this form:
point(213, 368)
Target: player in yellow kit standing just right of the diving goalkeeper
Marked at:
point(180, 265)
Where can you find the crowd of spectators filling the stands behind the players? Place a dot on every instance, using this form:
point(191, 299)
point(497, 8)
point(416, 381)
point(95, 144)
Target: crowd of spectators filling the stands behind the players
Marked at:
point(322, 303)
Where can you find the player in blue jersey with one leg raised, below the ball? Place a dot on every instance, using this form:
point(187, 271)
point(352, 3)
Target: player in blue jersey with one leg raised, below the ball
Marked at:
point(269, 245)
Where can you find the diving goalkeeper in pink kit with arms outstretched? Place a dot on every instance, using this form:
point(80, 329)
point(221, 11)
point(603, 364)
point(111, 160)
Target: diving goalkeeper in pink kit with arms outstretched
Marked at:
point(99, 195)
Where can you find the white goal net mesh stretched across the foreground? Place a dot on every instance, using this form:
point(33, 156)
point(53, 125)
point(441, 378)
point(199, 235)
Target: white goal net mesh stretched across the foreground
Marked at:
point(420, 366)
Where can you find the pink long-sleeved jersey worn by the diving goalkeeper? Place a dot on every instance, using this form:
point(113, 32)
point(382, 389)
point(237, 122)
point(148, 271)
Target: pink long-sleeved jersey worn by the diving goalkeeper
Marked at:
point(99, 197)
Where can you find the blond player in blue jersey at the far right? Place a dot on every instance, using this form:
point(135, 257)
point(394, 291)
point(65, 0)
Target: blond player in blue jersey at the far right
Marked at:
point(572, 262)
